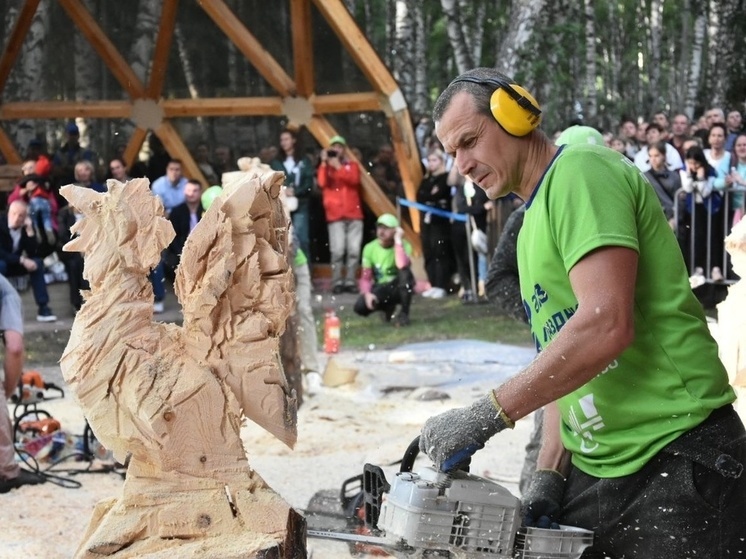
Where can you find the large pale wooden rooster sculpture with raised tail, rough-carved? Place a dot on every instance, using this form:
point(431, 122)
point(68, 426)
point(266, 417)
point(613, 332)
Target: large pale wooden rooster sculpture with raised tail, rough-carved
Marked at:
point(173, 397)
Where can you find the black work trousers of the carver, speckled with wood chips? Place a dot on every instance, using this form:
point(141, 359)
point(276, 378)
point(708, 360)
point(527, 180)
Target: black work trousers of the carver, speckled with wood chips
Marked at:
point(675, 507)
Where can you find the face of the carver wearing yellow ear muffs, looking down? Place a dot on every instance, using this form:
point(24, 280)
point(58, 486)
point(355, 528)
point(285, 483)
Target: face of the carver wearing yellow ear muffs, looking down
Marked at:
point(483, 152)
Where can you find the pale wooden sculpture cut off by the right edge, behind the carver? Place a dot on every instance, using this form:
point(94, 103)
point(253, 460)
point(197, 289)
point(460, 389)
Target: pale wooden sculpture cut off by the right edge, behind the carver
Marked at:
point(732, 318)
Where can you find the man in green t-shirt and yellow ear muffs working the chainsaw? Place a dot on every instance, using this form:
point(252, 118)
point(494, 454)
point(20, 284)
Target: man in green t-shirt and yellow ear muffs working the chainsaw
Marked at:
point(641, 443)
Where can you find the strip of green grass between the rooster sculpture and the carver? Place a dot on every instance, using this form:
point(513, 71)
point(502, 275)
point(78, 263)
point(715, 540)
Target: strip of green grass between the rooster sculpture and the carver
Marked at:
point(431, 319)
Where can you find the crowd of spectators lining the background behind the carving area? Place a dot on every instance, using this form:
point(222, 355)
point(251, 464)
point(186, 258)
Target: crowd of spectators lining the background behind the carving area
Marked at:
point(697, 168)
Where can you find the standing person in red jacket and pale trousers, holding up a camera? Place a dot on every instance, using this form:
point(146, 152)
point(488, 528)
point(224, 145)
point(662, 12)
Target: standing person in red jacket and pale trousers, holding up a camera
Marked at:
point(339, 181)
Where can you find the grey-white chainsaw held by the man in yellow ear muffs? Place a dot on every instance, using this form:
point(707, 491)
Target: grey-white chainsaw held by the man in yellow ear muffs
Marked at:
point(447, 515)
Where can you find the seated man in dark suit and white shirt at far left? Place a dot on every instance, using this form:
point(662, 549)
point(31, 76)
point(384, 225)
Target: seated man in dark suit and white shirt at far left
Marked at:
point(18, 255)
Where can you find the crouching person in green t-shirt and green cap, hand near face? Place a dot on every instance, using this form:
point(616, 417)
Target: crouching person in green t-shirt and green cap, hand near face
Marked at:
point(386, 280)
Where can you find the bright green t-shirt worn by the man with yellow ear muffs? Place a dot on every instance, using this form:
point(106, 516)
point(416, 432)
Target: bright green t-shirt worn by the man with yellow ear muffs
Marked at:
point(670, 378)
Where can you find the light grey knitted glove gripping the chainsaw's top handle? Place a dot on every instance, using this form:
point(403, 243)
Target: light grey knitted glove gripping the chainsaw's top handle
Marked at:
point(450, 439)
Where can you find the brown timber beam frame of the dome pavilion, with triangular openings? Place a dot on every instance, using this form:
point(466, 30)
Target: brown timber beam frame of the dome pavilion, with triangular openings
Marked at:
point(296, 97)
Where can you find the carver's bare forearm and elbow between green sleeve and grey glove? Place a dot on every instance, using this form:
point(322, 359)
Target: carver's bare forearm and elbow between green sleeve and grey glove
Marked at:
point(601, 328)
